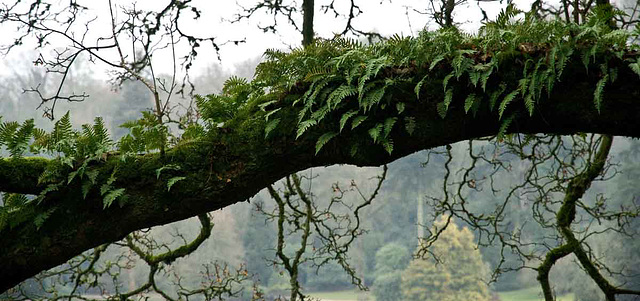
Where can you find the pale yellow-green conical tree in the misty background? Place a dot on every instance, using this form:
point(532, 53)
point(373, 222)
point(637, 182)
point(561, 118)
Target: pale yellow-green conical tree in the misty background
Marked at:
point(454, 272)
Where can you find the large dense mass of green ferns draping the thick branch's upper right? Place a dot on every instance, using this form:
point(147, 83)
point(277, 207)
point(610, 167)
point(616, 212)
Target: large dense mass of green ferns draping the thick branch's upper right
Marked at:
point(357, 87)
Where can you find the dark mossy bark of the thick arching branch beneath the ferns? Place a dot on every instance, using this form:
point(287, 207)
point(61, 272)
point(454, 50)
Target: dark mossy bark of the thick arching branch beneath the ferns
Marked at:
point(238, 161)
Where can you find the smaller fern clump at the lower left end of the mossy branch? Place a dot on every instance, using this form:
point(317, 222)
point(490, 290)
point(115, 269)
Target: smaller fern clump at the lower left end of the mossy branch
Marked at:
point(73, 153)
